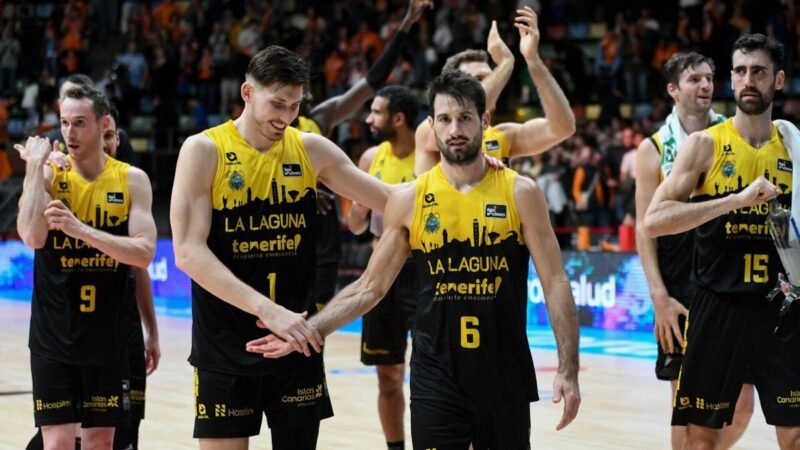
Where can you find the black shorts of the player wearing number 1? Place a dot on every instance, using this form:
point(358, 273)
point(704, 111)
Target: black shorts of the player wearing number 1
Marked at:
point(230, 406)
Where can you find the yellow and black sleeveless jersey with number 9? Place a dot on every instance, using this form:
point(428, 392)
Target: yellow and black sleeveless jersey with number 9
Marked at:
point(78, 310)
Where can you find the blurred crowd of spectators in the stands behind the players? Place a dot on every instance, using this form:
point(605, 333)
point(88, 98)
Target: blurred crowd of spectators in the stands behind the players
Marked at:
point(180, 64)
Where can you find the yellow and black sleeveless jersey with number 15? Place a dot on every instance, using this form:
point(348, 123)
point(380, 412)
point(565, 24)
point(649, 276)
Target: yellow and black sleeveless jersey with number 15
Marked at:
point(734, 253)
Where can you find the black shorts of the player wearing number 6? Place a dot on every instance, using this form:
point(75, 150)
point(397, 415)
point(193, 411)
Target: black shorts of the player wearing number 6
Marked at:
point(446, 416)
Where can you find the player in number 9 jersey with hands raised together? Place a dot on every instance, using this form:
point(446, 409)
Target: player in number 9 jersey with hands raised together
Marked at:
point(87, 223)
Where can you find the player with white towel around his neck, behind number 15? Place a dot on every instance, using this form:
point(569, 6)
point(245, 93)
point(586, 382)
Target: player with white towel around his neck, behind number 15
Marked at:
point(667, 261)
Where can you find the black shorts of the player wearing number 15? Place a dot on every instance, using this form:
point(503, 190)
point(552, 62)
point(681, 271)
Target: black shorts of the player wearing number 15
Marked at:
point(725, 338)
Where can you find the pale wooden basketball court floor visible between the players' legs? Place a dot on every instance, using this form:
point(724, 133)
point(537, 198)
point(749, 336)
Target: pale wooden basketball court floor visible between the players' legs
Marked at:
point(624, 406)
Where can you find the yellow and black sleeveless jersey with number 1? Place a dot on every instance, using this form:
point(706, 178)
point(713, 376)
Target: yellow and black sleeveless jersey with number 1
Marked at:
point(263, 227)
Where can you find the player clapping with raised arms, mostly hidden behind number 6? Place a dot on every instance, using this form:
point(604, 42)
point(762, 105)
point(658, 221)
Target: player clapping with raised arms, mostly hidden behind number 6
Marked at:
point(508, 140)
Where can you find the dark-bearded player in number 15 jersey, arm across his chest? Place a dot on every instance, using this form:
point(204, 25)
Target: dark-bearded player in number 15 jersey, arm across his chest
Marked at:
point(728, 173)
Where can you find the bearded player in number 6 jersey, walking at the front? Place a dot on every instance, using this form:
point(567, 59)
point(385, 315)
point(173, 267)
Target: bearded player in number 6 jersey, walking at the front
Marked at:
point(471, 232)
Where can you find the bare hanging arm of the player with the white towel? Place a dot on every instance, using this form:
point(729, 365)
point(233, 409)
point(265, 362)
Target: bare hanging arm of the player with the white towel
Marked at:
point(667, 309)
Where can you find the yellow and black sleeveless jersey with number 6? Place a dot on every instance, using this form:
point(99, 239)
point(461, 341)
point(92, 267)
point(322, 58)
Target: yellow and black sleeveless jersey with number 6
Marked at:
point(472, 271)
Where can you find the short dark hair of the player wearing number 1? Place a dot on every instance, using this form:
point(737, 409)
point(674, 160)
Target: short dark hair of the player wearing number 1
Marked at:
point(276, 64)
